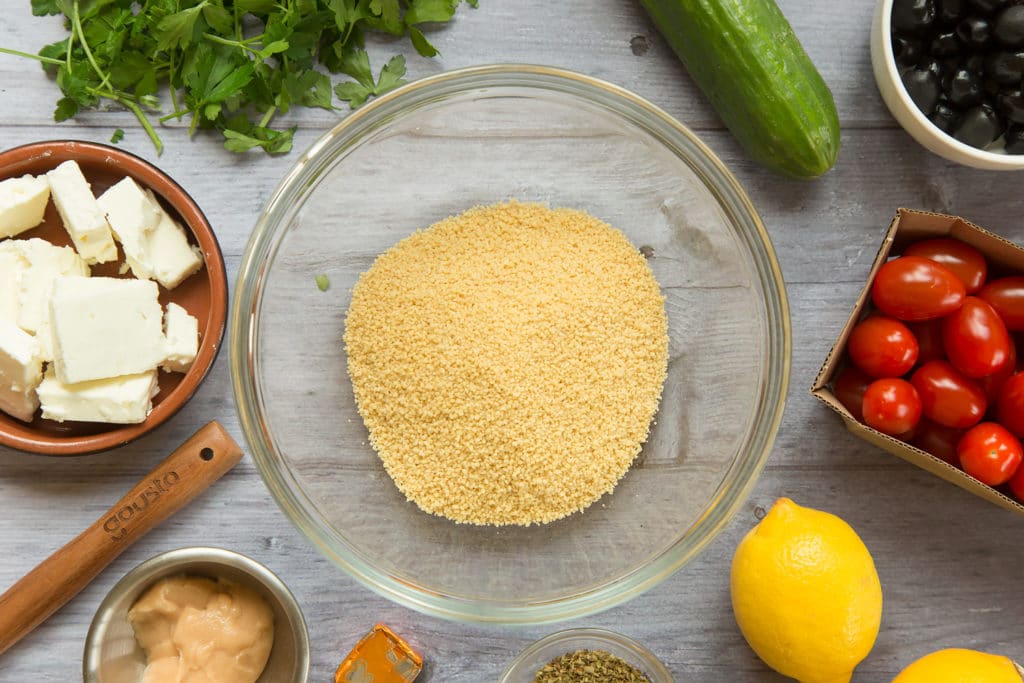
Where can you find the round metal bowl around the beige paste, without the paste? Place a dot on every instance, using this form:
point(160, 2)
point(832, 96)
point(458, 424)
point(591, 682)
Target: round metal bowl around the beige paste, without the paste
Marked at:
point(113, 656)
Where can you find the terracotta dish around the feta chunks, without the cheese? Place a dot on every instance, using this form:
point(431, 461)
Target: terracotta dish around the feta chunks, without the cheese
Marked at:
point(204, 294)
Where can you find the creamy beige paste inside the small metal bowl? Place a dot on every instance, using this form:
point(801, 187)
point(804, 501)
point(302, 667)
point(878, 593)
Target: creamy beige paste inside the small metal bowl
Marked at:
point(196, 630)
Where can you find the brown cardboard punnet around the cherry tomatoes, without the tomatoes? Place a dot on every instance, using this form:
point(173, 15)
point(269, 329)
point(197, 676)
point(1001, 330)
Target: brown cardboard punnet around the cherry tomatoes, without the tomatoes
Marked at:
point(909, 227)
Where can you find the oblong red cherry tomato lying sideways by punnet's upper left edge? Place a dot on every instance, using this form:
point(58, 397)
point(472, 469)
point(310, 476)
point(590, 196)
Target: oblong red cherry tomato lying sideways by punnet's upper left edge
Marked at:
point(913, 288)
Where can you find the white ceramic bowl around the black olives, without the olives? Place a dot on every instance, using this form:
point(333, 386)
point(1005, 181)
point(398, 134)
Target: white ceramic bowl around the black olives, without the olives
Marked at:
point(911, 118)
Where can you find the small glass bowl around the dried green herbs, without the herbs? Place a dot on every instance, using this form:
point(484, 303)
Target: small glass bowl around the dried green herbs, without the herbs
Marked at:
point(525, 667)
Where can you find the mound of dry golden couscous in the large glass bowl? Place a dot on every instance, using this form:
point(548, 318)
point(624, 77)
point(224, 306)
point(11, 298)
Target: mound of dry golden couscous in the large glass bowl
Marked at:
point(508, 362)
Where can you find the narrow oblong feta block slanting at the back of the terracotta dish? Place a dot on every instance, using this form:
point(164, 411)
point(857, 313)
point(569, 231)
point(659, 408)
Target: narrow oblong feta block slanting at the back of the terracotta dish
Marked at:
point(81, 216)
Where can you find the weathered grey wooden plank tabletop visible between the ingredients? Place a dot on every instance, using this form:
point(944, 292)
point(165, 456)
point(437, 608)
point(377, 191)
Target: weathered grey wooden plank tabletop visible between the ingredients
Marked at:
point(952, 565)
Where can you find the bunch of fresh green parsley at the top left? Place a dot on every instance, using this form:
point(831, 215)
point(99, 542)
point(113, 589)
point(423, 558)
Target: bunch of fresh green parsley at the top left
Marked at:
point(229, 65)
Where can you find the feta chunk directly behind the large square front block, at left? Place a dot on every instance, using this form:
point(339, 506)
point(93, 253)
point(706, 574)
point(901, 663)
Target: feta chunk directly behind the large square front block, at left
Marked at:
point(41, 265)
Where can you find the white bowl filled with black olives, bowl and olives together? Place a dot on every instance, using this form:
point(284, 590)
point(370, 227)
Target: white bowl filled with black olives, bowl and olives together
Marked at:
point(952, 73)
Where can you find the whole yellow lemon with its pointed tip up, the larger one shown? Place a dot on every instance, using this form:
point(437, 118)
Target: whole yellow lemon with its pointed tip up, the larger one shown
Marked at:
point(806, 595)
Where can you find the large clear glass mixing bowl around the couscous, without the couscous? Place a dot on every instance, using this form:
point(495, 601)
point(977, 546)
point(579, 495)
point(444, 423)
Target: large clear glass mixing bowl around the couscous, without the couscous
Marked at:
point(478, 137)
